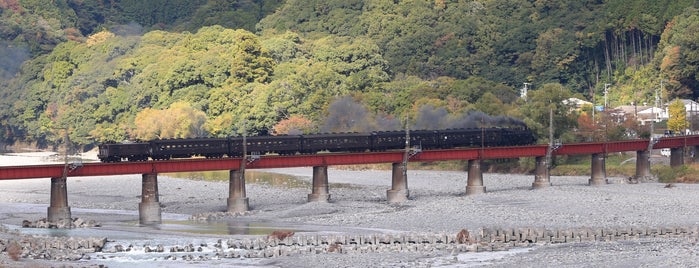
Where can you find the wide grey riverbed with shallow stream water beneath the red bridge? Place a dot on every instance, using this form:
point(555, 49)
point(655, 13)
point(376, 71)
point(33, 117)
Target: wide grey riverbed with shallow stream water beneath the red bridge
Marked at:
point(358, 208)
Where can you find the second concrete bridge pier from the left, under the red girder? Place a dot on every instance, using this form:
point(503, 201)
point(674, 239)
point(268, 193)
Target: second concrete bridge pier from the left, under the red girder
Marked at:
point(149, 208)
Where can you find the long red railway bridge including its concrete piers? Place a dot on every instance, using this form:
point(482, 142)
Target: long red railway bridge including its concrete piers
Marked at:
point(149, 208)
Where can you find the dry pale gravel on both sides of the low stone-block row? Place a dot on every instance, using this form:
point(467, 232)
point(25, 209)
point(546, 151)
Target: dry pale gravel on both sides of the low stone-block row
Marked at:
point(437, 205)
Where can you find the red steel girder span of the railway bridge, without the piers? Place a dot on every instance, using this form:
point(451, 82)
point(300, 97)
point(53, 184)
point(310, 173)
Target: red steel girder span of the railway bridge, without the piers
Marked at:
point(331, 159)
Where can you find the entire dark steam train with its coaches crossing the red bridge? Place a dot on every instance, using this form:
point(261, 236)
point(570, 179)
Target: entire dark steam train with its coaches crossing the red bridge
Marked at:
point(164, 149)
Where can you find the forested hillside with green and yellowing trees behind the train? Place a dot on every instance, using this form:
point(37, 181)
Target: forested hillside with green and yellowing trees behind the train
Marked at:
point(112, 70)
